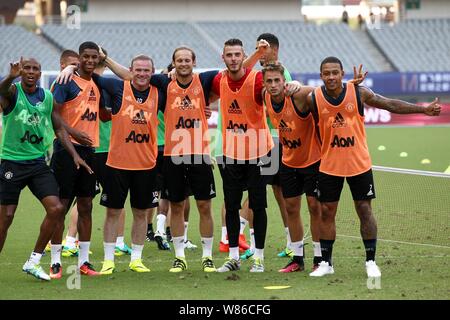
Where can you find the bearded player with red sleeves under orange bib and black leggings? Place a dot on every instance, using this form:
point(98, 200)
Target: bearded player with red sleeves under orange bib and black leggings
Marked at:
point(246, 143)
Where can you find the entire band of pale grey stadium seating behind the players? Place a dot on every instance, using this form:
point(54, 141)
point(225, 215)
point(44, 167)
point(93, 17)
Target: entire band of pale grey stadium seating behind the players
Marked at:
point(302, 45)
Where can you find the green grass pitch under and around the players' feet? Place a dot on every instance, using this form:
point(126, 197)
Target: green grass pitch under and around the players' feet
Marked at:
point(409, 271)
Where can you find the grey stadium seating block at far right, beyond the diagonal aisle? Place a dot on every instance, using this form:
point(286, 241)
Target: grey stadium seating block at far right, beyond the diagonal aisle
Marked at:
point(416, 45)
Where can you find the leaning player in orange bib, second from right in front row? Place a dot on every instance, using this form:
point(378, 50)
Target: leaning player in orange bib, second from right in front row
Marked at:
point(301, 156)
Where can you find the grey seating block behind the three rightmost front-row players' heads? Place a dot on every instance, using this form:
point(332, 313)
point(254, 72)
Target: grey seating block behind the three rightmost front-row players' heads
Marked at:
point(302, 46)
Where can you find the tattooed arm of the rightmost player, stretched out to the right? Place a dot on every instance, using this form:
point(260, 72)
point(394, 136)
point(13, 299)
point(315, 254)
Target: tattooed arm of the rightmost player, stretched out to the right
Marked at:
point(398, 106)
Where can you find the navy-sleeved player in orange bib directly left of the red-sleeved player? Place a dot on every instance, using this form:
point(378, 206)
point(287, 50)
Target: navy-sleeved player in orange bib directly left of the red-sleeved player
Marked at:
point(186, 152)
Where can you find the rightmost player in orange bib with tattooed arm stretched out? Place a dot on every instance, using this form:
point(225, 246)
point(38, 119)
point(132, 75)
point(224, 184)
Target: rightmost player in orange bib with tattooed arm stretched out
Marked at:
point(345, 155)
